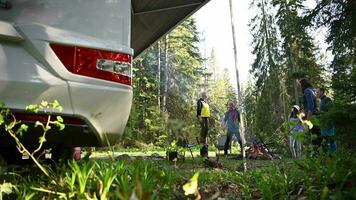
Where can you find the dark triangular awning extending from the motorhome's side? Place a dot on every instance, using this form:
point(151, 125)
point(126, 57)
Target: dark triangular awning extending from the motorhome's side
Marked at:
point(152, 19)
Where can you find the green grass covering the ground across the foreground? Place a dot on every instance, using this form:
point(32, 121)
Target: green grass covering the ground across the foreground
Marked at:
point(143, 177)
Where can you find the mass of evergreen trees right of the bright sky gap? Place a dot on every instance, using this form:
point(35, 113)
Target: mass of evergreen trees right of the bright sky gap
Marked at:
point(286, 52)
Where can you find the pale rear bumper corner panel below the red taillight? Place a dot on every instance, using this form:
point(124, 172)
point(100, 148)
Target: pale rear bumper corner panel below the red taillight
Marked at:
point(105, 109)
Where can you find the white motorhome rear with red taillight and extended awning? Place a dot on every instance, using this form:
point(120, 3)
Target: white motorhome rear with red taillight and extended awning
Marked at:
point(79, 53)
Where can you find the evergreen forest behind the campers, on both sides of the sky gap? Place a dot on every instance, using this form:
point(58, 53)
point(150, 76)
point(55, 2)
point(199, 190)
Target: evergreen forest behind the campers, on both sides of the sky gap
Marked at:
point(169, 77)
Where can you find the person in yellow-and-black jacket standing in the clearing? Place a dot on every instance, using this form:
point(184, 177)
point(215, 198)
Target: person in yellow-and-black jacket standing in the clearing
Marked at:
point(203, 113)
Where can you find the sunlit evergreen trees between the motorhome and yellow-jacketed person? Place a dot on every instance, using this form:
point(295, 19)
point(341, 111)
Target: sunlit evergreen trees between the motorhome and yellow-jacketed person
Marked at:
point(157, 101)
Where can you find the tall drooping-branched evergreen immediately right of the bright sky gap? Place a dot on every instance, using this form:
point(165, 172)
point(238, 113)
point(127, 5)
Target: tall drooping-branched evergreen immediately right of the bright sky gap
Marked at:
point(265, 104)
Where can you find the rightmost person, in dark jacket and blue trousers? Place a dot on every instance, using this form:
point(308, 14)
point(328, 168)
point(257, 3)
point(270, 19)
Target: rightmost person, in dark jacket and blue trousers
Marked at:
point(327, 130)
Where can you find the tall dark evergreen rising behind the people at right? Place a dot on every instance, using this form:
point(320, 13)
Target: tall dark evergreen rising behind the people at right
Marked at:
point(298, 49)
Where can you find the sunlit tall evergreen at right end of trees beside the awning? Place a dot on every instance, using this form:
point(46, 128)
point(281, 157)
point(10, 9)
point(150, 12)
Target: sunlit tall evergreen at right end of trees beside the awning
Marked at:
point(185, 66)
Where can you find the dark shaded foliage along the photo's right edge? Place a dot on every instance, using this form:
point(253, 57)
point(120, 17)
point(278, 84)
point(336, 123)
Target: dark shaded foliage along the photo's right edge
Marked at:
point(339, 19)
